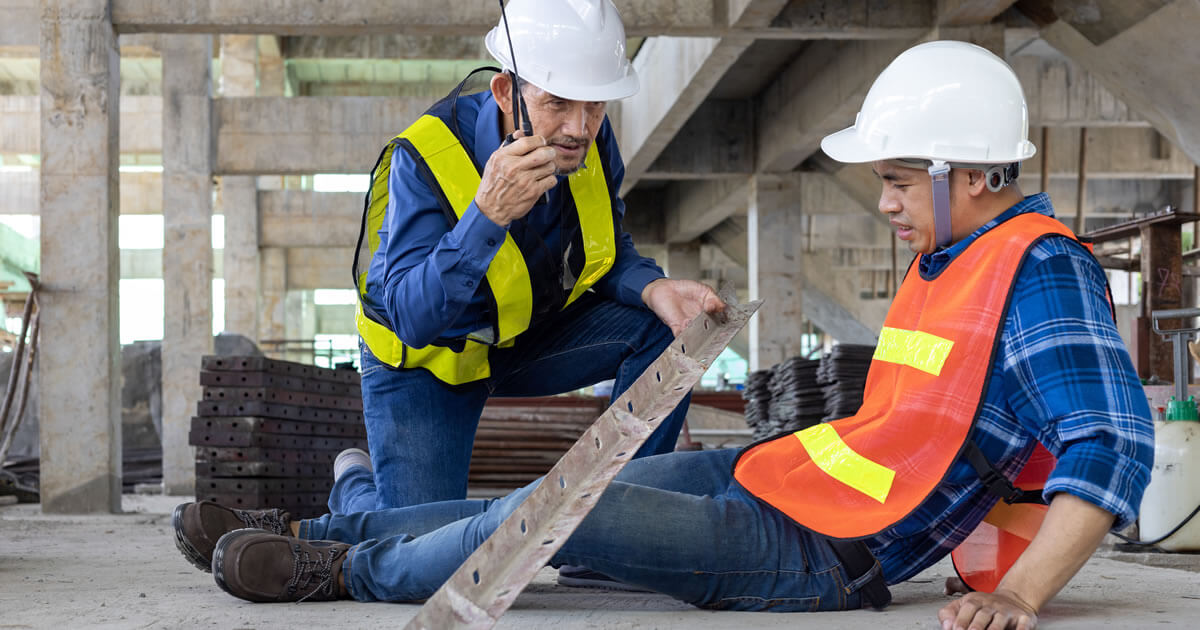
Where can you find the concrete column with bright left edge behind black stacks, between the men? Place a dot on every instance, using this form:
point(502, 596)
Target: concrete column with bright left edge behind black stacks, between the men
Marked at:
point(776, 235)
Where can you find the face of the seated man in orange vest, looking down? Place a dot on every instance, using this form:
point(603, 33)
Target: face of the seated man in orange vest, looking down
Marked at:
point(909, 203)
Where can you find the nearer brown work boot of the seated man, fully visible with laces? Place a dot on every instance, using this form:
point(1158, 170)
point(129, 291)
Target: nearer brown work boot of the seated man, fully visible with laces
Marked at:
point(259, 567)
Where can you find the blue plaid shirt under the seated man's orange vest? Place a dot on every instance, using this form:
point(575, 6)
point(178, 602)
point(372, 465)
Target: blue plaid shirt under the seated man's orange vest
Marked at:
point(1064, 379)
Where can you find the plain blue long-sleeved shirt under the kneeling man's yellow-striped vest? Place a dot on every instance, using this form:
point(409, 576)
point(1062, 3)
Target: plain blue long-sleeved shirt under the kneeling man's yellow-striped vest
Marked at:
point(427, 278)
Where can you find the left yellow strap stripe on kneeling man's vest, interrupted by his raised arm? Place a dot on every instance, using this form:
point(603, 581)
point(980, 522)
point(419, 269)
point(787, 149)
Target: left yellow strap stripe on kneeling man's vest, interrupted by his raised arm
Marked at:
point(507, 275)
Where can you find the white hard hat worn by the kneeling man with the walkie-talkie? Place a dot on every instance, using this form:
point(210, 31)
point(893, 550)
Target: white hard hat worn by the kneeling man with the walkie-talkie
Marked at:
point(571, 49)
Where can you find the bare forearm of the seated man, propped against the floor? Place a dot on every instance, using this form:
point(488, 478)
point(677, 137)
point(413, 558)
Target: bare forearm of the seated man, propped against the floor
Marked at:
point(1069, 537)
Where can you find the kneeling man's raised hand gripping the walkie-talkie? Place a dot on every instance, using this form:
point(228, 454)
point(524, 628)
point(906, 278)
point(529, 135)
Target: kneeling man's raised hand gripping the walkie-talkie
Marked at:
point(514, 178)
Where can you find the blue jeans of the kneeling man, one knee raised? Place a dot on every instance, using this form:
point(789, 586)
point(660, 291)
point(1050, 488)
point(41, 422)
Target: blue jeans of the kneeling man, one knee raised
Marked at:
point(422, 431)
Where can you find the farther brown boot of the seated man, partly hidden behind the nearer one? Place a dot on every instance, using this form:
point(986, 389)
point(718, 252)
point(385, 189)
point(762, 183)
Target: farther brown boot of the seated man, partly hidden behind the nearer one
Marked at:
point(199, 526)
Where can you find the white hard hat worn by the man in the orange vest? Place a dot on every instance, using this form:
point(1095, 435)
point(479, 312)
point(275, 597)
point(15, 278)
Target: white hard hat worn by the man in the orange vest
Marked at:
point(941, 101)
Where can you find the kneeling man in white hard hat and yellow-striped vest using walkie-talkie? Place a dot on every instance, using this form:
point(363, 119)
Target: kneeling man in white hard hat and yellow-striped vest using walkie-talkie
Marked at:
point(494, 263)
